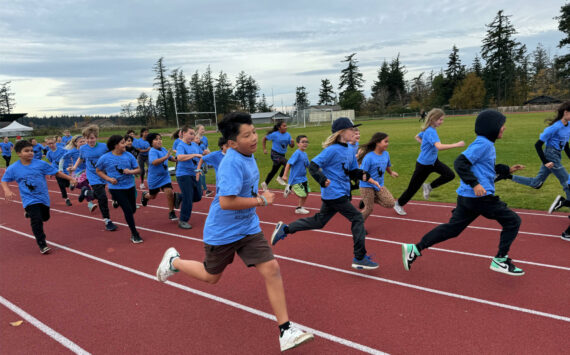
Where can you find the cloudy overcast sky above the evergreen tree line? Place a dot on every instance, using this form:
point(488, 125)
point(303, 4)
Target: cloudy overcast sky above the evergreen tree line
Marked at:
point(90, 57)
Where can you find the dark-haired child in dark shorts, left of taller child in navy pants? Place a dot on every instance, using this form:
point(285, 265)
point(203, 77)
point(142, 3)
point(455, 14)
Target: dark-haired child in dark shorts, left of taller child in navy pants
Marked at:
point(158, 177)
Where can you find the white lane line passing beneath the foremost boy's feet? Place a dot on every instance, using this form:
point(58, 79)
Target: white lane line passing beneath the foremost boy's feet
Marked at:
point(209, 296)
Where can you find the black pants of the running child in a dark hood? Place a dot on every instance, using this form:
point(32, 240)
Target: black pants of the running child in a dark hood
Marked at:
point(467, 210)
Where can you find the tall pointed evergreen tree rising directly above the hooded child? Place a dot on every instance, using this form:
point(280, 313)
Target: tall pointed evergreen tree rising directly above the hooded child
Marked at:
point(499, 51)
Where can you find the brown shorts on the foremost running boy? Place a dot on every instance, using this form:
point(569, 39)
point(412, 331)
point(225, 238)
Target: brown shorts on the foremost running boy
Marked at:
point(253, 249)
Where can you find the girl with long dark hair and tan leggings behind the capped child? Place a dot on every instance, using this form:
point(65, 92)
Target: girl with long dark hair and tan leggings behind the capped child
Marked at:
point(375, 160)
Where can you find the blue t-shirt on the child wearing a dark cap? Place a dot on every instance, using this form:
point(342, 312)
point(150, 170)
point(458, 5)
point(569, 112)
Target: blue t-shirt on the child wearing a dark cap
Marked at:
point(335, 161)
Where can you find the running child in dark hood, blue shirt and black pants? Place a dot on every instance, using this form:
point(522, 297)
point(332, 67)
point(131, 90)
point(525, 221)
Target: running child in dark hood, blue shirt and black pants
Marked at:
point(476, 196)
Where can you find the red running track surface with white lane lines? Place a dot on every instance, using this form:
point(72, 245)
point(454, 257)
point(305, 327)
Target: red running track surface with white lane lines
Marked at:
point(106, 300)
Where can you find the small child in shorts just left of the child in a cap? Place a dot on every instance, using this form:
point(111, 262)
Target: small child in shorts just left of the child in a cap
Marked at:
point(298, 164)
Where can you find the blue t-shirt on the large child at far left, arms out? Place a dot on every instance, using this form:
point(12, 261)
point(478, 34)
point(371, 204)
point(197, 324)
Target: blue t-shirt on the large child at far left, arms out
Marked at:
point(31, 180)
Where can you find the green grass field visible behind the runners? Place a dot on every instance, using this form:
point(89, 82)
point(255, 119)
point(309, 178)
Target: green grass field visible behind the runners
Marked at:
point(517, 146)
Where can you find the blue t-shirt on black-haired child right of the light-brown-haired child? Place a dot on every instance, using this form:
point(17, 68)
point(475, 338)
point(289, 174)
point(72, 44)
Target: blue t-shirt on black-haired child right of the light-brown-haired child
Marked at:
point(112, 165)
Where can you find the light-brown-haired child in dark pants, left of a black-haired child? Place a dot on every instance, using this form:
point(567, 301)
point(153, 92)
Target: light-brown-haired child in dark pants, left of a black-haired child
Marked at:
point(90, 154)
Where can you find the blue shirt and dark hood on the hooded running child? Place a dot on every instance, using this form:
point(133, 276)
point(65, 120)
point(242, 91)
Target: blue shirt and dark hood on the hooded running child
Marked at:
point(476, 165)
